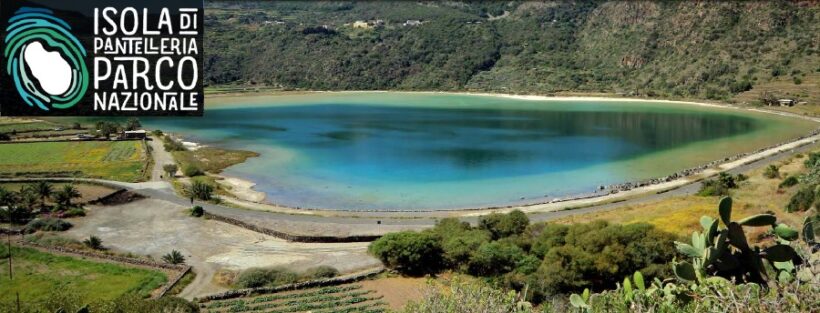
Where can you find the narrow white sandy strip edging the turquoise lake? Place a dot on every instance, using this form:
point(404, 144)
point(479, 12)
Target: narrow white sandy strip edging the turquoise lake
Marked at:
point(251, 199)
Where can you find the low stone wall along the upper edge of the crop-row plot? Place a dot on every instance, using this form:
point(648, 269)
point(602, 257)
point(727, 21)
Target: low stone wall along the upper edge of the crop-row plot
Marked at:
point(339, 280)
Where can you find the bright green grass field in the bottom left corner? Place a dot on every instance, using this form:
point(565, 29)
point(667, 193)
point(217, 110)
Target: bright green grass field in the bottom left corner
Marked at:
point(36, 274)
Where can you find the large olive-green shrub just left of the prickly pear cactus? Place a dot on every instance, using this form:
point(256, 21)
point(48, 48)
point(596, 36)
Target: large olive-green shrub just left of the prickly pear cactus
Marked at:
point(598, 254)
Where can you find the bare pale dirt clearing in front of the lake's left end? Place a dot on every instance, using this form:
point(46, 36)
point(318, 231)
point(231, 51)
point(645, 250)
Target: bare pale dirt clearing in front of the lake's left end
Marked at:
point(155, 227)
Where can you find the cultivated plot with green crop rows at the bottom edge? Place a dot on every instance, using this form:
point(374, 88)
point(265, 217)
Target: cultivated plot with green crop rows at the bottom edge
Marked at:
point(335, 299)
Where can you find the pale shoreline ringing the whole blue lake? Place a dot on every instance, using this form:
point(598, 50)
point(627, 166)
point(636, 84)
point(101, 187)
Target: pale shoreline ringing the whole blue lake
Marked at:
point(601, 195)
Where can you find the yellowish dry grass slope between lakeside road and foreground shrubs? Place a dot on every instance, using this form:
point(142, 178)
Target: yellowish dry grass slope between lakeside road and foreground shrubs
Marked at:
point(681, 215)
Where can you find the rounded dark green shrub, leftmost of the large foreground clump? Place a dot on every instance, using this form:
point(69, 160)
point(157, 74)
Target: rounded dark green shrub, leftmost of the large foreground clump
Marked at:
point(409, 252)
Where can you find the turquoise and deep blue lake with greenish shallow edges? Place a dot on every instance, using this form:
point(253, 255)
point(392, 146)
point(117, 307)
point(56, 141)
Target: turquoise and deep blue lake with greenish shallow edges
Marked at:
point(425, 151)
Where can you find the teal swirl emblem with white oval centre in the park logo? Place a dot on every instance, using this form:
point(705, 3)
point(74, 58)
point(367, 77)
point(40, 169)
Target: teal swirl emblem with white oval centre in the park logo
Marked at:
point(45, 60)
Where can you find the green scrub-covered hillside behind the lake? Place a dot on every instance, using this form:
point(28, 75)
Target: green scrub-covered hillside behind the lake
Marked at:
point(709, 50)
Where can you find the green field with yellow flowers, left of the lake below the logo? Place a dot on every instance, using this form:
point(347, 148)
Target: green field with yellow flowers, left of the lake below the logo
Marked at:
point(115, 160)
